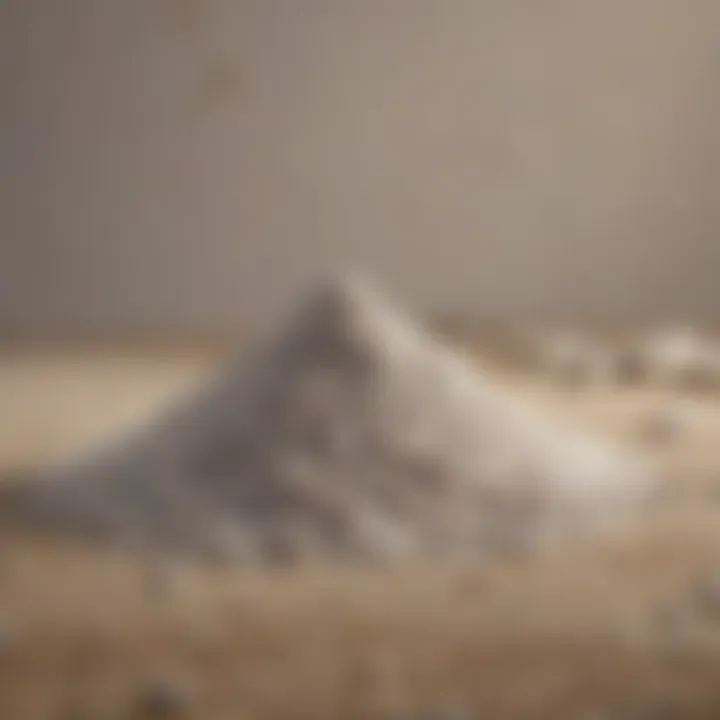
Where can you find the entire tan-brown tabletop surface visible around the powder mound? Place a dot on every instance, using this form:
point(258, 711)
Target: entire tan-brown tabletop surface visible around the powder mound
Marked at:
point(619, 631)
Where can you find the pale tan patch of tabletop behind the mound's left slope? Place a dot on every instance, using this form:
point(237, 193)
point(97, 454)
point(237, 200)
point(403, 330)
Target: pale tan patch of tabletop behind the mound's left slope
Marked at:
point(56, 403)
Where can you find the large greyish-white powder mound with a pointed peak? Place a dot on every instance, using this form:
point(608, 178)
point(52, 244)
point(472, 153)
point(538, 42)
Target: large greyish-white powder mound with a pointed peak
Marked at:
point(353, 435)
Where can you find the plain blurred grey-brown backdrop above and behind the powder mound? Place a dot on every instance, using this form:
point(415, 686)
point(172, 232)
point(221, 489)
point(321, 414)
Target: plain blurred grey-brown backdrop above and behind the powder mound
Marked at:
point(181, 165)
